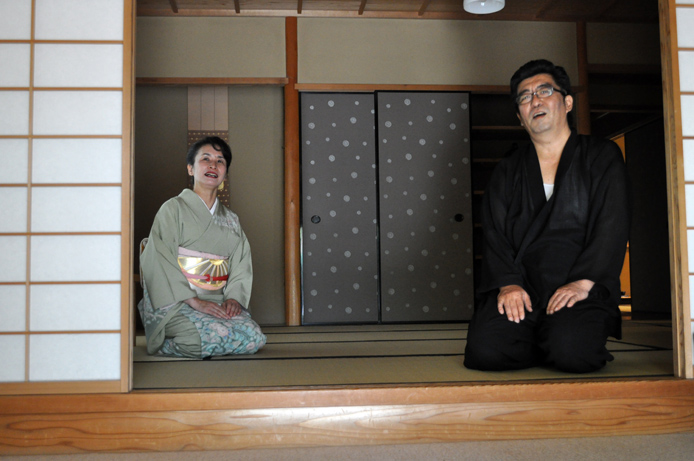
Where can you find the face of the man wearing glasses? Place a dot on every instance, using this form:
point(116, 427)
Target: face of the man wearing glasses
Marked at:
point(543, 115)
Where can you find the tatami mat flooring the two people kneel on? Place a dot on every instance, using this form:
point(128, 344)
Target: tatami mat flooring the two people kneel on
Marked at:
point(375, 355)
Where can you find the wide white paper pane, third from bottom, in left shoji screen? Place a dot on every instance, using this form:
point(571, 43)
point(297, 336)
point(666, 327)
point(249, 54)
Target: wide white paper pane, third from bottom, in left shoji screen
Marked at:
point(75, 258)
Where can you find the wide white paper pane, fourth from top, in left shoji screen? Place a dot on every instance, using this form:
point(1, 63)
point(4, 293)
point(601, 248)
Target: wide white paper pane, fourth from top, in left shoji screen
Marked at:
point(61, 161)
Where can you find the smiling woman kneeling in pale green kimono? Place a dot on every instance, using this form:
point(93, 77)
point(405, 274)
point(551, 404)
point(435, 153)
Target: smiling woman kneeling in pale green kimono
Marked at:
point(196, 268)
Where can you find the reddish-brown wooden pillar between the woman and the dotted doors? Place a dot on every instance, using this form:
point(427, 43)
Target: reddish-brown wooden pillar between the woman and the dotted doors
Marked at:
point(292, 190)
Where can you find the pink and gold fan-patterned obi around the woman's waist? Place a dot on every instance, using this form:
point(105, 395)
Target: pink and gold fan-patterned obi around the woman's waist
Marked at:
point(204, 270)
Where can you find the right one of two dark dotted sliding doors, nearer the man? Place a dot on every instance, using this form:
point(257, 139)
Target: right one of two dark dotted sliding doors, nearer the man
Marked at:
point(425, 207)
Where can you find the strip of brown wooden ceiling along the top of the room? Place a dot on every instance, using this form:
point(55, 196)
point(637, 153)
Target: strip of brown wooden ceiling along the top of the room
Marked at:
point(634, 11)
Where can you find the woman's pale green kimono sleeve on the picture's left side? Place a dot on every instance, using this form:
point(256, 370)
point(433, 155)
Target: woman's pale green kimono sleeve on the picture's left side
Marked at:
point(165, 282)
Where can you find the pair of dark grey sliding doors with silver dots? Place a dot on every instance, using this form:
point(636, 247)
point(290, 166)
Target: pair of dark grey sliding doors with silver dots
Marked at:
point(386, 208)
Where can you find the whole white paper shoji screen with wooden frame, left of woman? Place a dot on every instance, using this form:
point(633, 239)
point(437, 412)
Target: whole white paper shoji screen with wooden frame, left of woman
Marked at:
point(65, 94)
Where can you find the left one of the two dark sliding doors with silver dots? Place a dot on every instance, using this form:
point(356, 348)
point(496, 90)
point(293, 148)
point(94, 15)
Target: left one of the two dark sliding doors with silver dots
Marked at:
point(339, 209)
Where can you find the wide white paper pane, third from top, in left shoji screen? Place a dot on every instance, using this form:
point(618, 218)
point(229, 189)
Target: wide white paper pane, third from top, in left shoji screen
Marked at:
point(77, 112)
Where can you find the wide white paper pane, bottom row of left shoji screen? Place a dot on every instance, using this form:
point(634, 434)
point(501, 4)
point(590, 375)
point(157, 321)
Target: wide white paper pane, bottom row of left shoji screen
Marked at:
point(74, 357)
